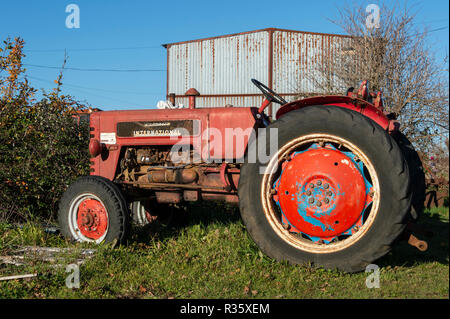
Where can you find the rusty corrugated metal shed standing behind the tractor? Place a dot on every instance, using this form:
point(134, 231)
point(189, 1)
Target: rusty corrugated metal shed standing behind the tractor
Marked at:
point(220, 68)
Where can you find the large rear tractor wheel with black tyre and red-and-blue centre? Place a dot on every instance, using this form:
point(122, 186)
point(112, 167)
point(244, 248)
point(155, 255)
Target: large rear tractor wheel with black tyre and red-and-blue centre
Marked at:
point(335, 194)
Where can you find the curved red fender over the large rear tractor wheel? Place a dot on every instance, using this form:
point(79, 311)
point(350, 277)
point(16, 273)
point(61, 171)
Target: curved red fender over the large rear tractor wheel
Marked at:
point(355, 104)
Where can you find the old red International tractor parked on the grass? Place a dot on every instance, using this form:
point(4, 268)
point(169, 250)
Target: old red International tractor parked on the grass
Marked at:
point(331, 182)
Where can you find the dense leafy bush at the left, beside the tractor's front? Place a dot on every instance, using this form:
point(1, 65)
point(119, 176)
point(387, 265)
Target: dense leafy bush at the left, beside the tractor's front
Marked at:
point(42, 147)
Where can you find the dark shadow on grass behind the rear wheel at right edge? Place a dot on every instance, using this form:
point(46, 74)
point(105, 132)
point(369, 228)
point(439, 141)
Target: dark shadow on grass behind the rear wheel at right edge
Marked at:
point(406, 255)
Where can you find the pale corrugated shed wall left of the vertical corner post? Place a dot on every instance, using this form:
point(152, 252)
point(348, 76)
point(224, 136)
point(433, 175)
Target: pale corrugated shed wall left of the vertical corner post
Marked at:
point(219, 66)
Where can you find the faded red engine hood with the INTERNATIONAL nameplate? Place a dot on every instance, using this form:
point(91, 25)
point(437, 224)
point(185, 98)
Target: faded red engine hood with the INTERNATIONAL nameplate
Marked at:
point(216, 132)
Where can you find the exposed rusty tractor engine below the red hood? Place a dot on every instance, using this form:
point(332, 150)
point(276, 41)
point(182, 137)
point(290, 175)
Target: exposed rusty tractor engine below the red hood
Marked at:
point(176, 176)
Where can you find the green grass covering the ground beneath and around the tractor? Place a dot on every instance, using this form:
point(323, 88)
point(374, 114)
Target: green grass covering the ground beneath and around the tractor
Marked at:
point(212, 256)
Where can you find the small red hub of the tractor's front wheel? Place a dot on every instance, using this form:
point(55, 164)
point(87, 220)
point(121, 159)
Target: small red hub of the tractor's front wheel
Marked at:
point(92, 218)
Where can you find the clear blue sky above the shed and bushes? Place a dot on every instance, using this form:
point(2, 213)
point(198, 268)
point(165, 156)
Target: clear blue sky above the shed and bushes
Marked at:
point(129, 34)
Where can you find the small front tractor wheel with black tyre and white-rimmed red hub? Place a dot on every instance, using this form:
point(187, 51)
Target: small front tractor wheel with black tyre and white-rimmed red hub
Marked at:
point(93, 209)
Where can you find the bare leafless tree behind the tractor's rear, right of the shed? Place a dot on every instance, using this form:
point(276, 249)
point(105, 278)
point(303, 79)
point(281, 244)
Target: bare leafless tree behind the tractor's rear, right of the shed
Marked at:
point(395, 57)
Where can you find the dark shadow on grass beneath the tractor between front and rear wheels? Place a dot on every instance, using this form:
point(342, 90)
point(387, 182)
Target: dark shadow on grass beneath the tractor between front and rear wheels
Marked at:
point(202, 213)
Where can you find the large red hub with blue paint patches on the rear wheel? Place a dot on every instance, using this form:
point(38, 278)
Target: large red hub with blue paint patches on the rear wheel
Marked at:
point(321, 192)
